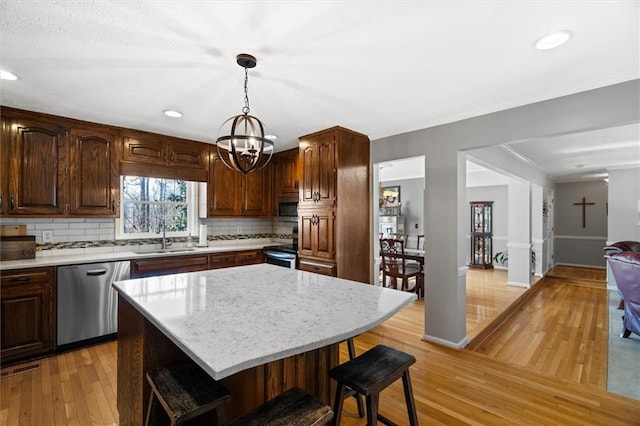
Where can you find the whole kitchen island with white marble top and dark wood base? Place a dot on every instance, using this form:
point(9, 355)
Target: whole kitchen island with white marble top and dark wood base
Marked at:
point(259, 329)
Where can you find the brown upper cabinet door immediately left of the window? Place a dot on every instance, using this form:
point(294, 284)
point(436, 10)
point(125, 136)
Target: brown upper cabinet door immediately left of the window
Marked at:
point(94, 188)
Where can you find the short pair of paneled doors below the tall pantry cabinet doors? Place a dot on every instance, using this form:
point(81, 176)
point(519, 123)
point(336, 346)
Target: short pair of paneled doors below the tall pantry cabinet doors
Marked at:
point(316, 234)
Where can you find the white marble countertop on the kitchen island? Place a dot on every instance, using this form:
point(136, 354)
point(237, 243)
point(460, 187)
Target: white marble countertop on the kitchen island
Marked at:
point(229, 320)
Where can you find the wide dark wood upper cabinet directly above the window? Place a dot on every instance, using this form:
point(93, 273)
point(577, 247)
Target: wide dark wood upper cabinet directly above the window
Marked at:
point(147, 154)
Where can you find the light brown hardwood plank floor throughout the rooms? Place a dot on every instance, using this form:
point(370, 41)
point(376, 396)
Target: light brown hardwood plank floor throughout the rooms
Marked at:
point(535, 370)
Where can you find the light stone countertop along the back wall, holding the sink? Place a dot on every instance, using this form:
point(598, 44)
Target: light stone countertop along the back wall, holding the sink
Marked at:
point(114, 253)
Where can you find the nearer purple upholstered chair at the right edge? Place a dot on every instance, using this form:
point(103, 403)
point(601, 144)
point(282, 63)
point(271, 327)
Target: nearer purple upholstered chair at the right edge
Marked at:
point(626, 270)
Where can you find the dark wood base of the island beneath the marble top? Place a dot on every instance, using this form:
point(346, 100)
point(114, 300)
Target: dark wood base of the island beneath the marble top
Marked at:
point(141, 347)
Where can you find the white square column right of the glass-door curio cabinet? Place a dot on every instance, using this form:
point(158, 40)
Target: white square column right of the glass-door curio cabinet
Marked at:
point(519, 230)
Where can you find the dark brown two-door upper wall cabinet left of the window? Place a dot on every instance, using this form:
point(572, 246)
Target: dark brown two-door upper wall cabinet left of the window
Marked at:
point(57, 167)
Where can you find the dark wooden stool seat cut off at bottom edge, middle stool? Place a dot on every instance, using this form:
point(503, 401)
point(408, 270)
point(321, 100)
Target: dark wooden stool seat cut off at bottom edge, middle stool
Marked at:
point(294, 407)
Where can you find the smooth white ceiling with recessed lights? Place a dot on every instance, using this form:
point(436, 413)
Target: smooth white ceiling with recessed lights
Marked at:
point(380, 68)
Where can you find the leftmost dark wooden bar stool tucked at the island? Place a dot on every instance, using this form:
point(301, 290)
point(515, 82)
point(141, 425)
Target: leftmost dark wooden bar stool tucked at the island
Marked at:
point(185, 391)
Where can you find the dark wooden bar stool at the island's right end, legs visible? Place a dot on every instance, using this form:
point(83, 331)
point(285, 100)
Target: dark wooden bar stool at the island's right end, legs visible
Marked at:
point(369, 374)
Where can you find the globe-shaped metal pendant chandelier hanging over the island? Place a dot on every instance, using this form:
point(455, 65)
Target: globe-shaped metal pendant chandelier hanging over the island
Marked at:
point(241, 141)
